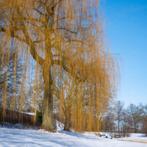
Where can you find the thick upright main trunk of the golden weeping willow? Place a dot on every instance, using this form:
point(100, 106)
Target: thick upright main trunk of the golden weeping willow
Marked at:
point(48, 122)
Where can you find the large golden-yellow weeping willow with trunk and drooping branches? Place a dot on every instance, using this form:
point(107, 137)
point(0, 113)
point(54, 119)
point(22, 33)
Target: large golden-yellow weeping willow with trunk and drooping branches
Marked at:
point(64, 38)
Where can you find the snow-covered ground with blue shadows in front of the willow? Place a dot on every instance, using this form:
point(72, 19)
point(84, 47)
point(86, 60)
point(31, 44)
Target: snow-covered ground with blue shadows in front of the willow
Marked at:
point(12, 137)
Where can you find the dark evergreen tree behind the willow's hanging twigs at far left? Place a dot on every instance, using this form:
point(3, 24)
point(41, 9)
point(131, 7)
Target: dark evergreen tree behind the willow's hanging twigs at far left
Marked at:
point(10, 73)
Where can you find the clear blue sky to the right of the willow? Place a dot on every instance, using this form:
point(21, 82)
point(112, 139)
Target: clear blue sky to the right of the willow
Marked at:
point(125, 29)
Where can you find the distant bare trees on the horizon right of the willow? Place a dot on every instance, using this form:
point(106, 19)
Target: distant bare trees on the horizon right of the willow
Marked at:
point(132, 119)
